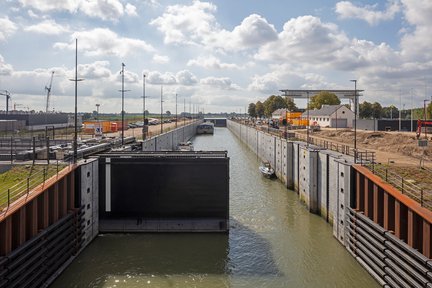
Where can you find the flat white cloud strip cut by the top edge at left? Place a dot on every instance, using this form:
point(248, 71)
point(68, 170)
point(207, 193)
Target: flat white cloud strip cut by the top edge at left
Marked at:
point(103, 9)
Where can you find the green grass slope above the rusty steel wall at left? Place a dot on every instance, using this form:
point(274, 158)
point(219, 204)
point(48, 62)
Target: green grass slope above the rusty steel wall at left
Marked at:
point(22, 178)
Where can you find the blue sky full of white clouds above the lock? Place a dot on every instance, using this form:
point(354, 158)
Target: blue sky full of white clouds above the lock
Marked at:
point(215, 56)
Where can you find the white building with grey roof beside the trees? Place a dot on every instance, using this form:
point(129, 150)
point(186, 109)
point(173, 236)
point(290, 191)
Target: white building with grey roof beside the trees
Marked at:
point(333, 116)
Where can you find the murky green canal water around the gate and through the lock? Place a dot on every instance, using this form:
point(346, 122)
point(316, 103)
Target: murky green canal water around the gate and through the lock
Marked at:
point(273, 242)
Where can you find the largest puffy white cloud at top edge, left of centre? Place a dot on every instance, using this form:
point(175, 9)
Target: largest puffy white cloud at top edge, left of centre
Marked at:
point(197, 25)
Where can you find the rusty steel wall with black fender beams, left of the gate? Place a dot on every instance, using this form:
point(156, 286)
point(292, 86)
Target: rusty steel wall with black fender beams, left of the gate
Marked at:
point(40, 232)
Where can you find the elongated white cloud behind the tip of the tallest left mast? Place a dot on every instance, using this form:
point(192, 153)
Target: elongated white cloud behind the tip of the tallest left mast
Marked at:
point(103, 42)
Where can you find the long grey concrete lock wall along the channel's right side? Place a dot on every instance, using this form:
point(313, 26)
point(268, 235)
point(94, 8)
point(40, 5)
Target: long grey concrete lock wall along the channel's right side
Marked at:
point(322, 178)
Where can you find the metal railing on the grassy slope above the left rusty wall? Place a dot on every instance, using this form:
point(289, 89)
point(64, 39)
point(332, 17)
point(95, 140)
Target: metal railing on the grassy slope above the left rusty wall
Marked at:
point(8, 195)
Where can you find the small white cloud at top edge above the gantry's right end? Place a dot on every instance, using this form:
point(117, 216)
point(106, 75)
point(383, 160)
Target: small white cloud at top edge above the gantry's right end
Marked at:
point(347, 10)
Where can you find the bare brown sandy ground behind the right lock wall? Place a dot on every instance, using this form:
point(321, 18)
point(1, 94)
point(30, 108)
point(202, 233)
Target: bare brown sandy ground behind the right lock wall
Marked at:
point(397, 148)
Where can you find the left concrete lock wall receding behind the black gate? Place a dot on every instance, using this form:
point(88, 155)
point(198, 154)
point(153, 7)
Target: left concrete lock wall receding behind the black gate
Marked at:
point(169, 141)
